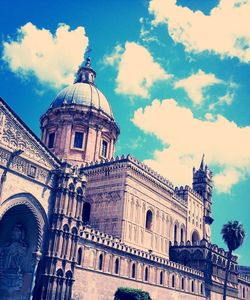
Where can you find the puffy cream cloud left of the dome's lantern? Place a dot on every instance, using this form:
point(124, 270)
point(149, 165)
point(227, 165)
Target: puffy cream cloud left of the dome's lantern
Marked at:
point(53, 59)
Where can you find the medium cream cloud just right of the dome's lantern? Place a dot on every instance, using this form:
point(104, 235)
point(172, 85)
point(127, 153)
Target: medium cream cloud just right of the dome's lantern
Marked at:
point(137, 70)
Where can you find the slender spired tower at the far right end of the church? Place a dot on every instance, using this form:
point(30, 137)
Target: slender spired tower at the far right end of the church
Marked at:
point(203, 185)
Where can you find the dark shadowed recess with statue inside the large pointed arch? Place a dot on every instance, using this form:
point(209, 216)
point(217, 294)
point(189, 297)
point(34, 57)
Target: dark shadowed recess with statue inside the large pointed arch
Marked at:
point(18, 242)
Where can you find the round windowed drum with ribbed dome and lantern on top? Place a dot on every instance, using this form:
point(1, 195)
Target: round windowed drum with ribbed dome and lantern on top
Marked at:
point(79, 126)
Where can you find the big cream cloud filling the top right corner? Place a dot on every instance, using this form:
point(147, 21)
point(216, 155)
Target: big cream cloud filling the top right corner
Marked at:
point(226, 30)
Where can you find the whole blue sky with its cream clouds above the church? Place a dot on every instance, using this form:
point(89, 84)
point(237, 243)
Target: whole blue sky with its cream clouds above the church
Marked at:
point(177, 78)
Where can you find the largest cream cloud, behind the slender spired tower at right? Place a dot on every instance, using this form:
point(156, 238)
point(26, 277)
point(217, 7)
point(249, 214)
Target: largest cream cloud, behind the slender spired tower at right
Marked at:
point(226, 145)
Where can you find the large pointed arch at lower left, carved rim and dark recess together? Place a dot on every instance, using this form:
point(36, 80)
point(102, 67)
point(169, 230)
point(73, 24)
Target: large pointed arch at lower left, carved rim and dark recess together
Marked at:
point(21, 235)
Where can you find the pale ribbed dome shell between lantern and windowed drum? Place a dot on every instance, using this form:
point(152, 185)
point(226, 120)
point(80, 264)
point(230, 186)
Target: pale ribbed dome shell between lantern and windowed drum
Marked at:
point(83, 93)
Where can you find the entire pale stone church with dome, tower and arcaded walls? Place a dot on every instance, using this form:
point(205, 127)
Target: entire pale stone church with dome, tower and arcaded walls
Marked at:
point(78, 223)
